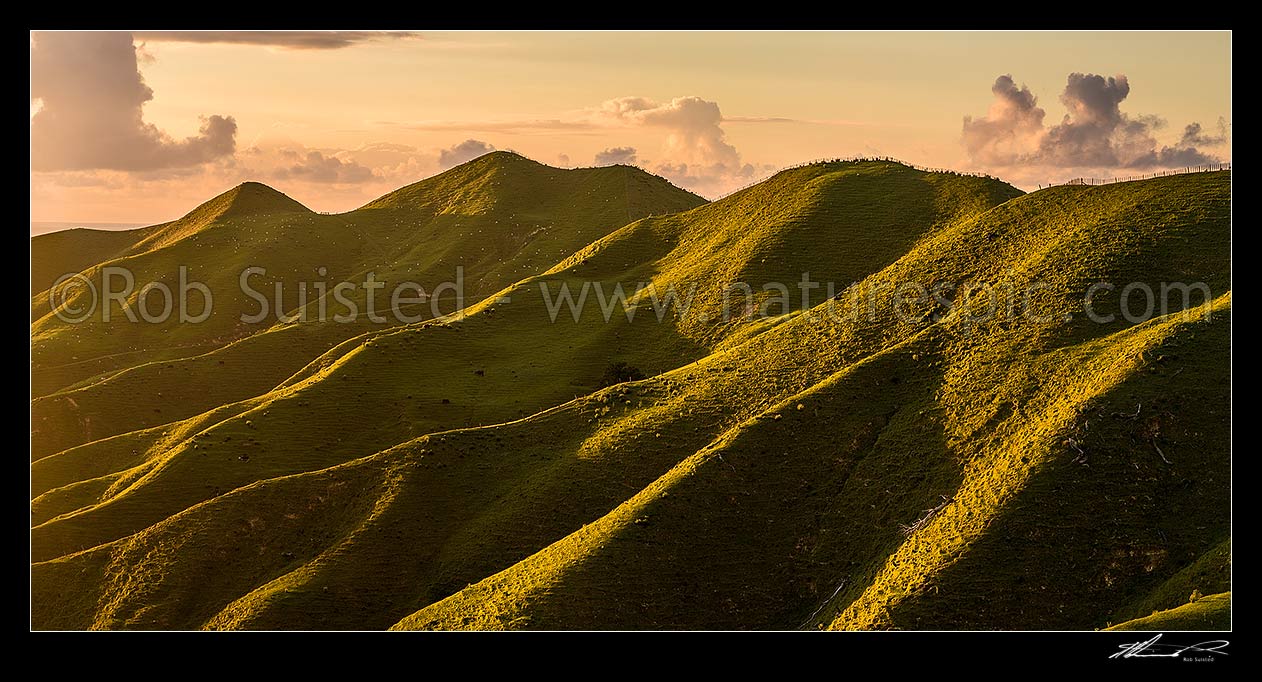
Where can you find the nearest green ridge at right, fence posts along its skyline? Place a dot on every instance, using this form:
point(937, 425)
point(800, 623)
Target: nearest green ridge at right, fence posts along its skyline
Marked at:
point(802, 521)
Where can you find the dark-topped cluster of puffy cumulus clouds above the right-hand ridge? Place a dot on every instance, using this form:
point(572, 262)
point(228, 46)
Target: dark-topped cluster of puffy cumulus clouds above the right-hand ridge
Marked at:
point(1095, 132)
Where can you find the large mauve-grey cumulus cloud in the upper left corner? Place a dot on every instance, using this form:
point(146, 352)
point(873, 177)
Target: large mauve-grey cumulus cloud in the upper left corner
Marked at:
point(90, 99)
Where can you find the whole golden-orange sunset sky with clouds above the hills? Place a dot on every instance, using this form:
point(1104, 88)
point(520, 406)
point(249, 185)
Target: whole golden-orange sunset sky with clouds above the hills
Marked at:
point(141, 128)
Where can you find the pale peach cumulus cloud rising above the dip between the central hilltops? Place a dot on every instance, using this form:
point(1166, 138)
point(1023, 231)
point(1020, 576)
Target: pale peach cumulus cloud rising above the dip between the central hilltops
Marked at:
point(696, 153)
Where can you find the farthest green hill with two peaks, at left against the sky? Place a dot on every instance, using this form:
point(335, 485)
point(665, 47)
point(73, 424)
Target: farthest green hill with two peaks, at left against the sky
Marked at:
point(422, 233)
